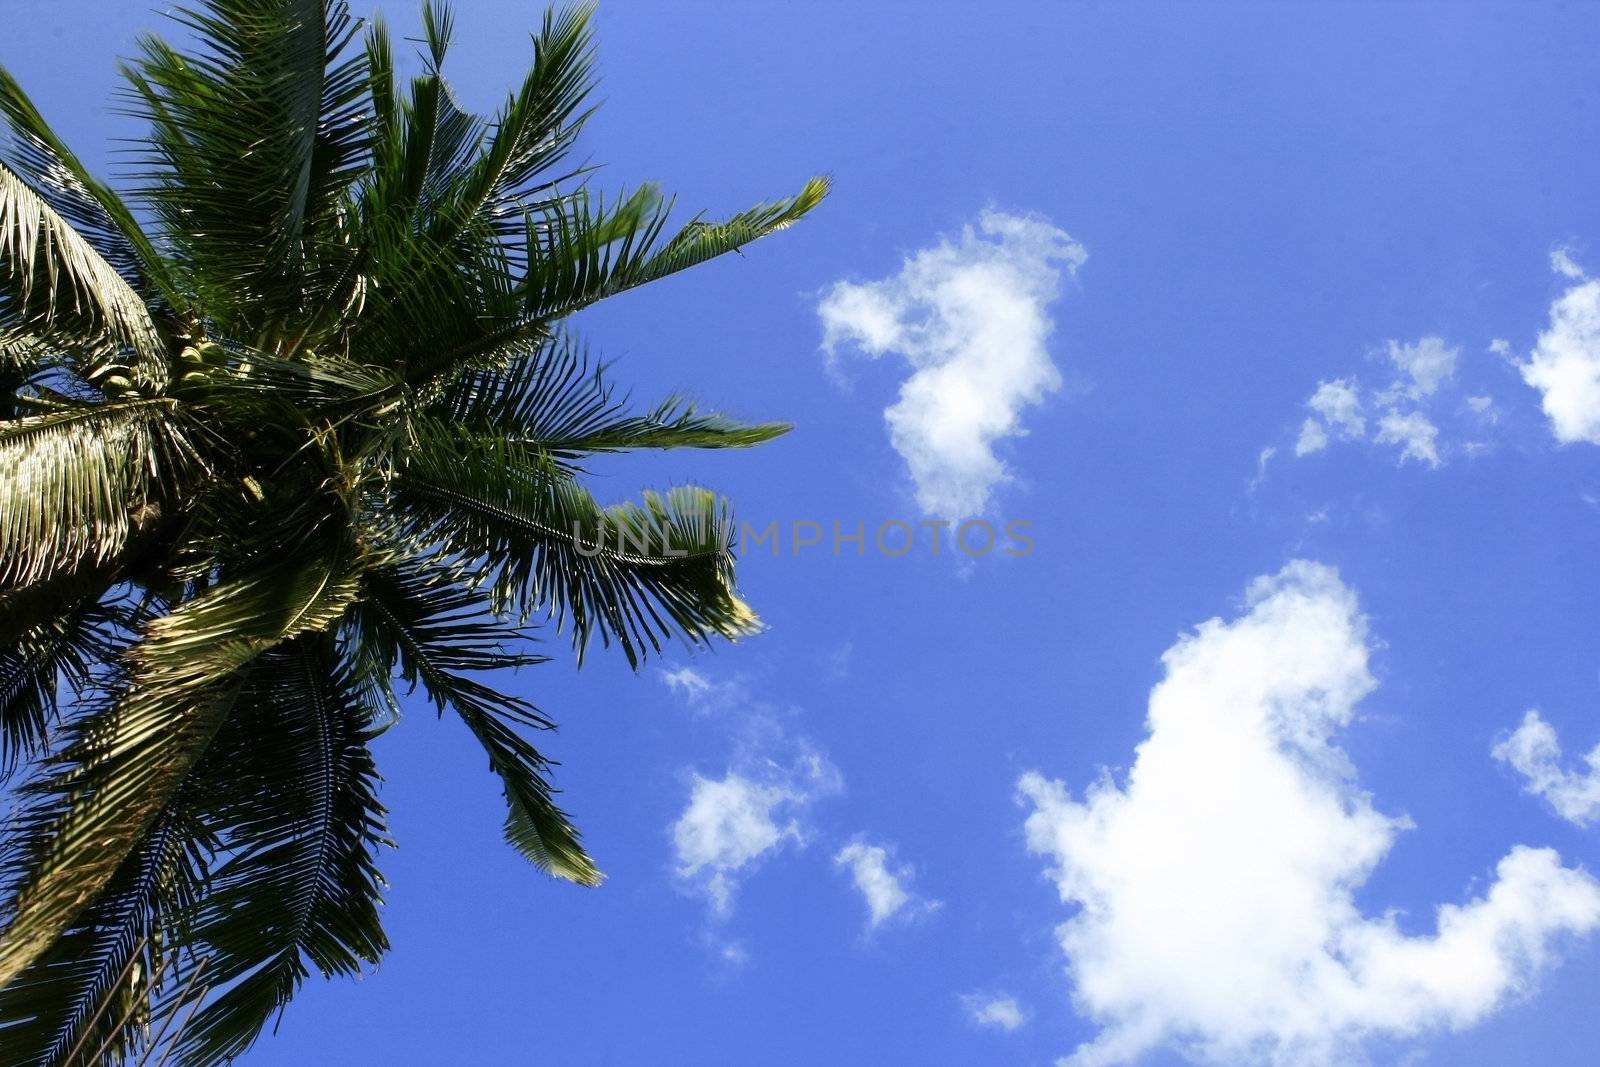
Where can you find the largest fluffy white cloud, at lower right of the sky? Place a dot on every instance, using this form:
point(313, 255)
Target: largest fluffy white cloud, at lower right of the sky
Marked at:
point(1215, 889)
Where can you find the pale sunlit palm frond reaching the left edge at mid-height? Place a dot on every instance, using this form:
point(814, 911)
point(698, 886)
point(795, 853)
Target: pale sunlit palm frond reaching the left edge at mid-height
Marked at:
point(76, 484)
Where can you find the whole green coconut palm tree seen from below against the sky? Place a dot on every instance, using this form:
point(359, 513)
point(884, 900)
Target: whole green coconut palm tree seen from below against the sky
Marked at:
point(284, 438)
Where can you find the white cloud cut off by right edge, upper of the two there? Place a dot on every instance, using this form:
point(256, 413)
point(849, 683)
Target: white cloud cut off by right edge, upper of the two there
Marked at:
point(1566, 366)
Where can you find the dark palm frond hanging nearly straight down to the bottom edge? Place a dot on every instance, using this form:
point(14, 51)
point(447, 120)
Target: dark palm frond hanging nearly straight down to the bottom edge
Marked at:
point(300, 825)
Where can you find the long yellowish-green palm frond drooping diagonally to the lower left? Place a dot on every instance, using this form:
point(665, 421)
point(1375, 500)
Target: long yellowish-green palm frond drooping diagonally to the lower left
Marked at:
point(122, 764)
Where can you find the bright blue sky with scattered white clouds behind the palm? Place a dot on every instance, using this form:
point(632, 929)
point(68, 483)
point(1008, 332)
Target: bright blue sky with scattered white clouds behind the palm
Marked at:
point(1094, 268)
